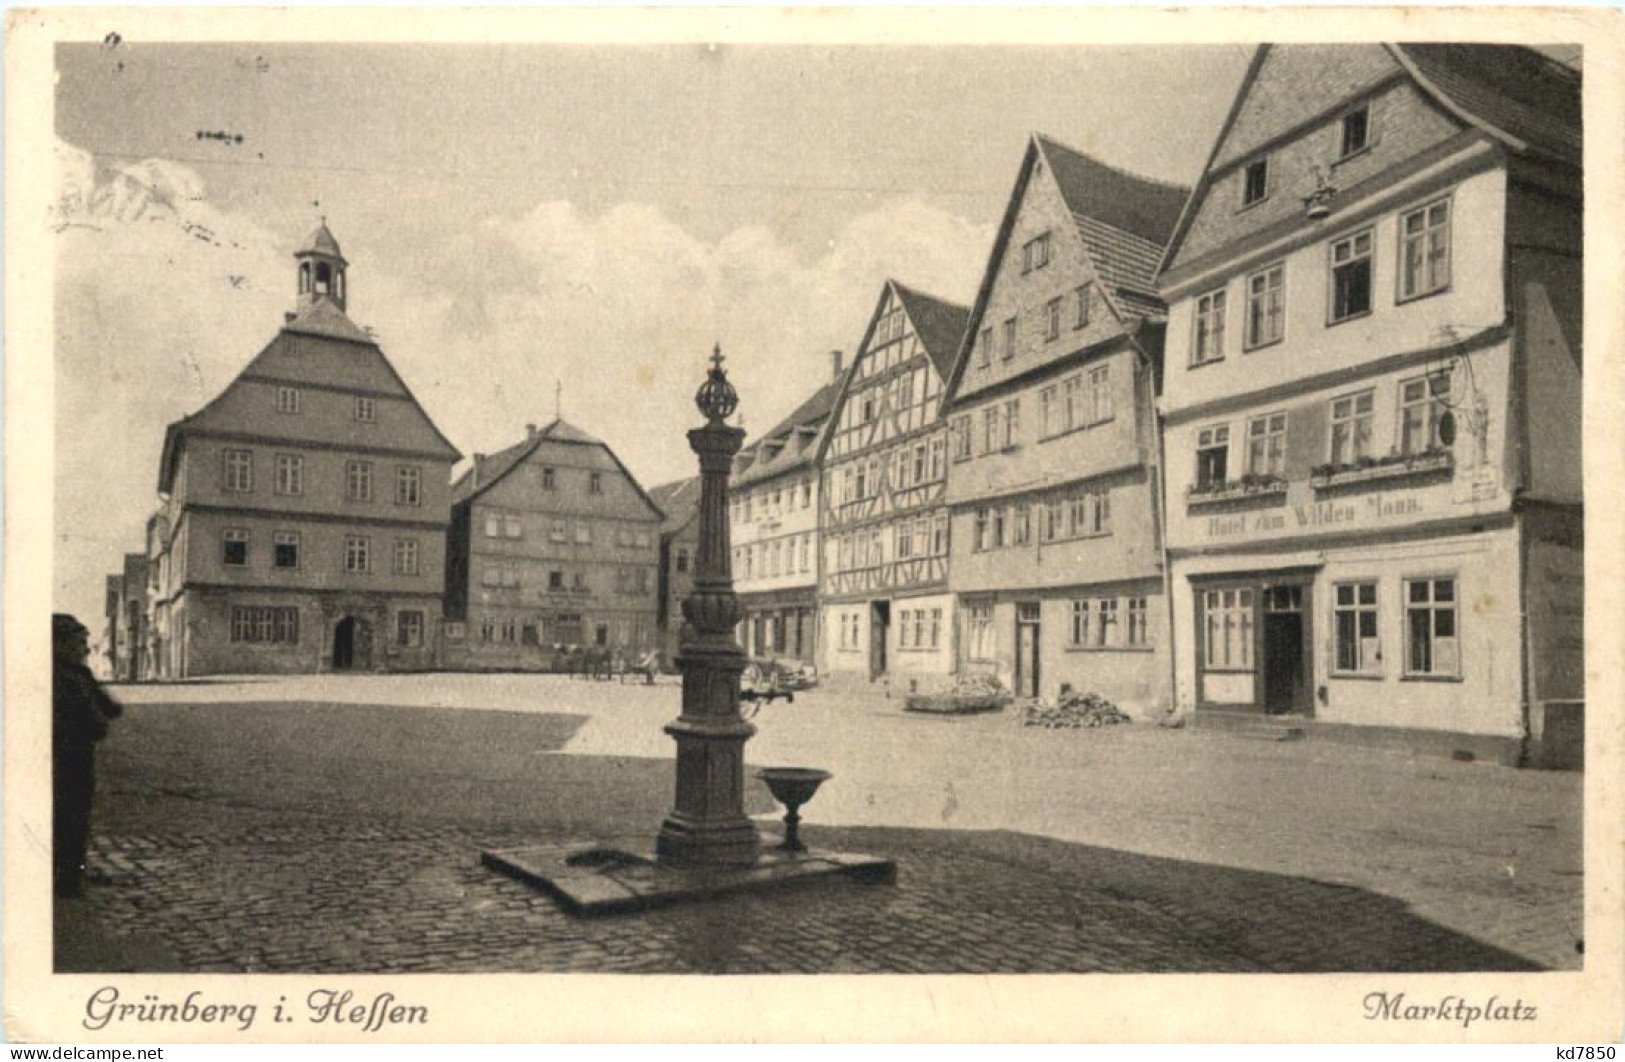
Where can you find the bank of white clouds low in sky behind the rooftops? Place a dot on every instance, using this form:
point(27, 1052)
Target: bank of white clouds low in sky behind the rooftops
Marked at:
point(163, 298)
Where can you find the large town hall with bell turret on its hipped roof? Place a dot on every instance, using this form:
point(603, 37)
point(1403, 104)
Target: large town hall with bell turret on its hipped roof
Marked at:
point(303, 511)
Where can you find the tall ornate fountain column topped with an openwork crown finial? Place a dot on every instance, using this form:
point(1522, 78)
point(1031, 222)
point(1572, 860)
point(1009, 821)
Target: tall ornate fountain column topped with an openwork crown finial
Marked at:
point(708, 826)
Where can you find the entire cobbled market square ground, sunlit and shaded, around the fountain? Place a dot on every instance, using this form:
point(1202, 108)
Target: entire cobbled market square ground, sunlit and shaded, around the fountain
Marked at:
point(321, 835)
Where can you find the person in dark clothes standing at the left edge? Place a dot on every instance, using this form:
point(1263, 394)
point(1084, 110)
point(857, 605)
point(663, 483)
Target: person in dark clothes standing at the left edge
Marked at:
point(80, 714)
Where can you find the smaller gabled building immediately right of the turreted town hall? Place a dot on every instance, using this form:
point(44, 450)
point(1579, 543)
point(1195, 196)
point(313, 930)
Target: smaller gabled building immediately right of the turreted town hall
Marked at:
point(555, 551)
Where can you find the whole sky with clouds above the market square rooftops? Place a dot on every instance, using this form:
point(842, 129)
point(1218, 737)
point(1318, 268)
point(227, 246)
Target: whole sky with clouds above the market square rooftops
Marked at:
point(537, 217)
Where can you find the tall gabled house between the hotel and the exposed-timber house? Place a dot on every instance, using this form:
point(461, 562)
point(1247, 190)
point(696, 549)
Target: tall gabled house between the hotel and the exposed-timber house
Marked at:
point(1052, 430)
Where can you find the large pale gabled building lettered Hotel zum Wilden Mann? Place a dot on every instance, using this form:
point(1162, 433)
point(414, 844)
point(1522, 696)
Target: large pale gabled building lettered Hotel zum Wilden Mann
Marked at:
point(1372, 399)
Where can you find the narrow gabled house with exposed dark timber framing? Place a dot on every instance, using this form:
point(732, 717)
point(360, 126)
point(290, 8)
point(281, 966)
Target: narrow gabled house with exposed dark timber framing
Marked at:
point(883, 592)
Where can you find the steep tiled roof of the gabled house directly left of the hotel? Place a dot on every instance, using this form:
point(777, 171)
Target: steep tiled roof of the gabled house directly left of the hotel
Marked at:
point(1122, 223)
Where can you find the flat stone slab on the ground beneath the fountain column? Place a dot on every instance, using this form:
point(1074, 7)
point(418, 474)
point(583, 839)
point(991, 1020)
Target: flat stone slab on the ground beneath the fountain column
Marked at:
point(626, 876)
